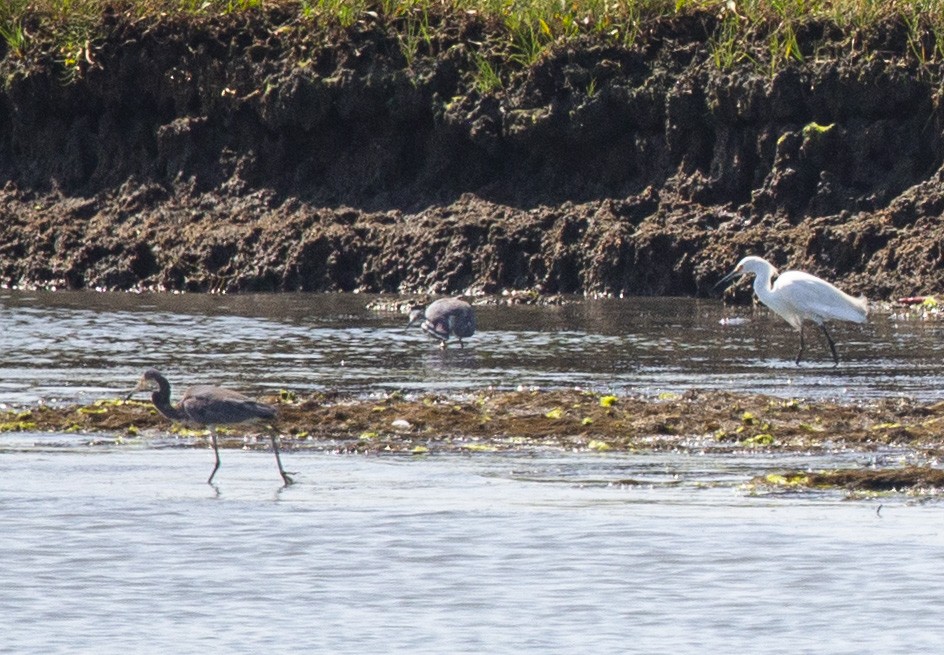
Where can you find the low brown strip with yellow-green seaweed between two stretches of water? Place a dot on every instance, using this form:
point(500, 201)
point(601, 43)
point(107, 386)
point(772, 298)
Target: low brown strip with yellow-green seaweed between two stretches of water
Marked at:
point(569, 420)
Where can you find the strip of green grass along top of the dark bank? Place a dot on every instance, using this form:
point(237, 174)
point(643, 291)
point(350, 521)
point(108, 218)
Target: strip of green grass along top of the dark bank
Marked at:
point(766, 33)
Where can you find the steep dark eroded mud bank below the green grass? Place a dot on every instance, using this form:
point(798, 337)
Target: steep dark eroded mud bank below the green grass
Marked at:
point(255, 152)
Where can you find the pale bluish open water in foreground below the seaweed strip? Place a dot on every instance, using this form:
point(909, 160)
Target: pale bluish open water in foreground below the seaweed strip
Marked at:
point(127, 550)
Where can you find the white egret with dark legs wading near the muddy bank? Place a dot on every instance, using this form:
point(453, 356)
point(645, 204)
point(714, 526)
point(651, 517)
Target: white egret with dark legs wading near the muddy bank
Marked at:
point(796, 297)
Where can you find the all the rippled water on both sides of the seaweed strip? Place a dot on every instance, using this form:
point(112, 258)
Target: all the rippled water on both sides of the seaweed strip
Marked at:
point(126, 549)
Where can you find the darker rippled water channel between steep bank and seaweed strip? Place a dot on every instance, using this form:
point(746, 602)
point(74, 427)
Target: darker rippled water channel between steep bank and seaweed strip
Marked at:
point(78, 346)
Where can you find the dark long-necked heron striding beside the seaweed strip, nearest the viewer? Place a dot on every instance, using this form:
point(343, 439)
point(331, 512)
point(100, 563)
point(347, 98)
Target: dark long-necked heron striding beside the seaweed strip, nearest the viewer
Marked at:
point(210, 406)
